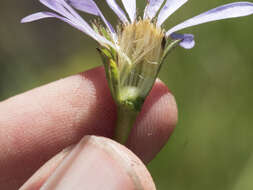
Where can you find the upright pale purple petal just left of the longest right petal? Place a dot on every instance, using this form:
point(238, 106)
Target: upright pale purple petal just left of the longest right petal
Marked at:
point(169, 8)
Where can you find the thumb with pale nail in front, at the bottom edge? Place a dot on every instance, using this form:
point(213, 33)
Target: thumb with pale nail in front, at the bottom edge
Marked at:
point(95, 163)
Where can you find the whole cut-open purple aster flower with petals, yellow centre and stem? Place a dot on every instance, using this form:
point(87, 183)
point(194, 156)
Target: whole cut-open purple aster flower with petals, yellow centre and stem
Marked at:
point(133, 53)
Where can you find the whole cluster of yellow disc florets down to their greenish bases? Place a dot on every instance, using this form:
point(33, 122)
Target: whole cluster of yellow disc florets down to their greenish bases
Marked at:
point(142, 42)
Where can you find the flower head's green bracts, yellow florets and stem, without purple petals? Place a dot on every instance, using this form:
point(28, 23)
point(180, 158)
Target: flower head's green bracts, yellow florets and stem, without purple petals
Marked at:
point(132, 69)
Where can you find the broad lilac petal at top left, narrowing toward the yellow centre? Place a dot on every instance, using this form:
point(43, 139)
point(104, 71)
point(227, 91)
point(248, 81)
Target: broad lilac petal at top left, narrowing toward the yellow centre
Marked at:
point(89, 6)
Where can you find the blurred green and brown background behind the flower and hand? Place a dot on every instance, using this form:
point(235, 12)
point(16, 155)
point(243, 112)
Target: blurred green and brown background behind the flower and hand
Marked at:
point(212, 144)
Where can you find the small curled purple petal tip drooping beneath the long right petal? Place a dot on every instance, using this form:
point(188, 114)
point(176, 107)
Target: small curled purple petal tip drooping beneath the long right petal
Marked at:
point(187, 40)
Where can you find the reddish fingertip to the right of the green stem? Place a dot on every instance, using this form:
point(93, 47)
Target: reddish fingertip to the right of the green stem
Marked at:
point(155, 123)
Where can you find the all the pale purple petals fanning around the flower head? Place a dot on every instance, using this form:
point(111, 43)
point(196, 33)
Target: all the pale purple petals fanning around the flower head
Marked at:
point(67, 14)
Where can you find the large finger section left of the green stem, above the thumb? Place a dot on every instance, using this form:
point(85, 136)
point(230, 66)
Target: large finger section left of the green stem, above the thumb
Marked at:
point(40, 123)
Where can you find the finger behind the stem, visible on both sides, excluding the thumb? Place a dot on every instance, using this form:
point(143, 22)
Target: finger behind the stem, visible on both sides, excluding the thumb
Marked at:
point(38, 124)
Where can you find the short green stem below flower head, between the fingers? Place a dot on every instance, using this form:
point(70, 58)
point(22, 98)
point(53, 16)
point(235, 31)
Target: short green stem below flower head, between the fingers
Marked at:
point(125, 121)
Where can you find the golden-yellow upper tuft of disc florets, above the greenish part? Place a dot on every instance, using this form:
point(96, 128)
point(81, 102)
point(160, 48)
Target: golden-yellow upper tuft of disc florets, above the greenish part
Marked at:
point(142, 40)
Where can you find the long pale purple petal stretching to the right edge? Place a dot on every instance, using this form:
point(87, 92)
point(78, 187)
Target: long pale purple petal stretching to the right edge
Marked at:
point(232, 10)
